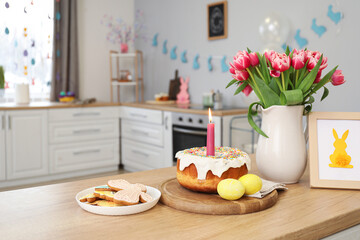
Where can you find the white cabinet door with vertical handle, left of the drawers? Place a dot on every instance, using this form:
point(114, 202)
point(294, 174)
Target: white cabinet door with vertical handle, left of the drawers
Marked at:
point(26, 144)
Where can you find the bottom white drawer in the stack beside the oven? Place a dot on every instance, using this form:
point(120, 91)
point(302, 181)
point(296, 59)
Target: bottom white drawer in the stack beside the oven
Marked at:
point(142, 155)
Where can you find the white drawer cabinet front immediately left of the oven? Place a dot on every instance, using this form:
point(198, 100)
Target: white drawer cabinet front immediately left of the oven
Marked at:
point(145, 140)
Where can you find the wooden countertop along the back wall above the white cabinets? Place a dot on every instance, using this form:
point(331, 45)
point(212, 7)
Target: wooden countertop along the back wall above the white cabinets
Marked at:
point(161, 107)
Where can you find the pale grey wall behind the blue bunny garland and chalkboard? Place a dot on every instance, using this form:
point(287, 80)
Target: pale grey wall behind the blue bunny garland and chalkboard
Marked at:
point(183, 23)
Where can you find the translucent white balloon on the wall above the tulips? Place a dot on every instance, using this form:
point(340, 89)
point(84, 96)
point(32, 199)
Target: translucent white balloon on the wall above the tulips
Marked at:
point(275, 28)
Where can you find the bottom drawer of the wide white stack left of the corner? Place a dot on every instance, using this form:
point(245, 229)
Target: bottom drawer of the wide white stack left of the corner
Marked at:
point(85, 155)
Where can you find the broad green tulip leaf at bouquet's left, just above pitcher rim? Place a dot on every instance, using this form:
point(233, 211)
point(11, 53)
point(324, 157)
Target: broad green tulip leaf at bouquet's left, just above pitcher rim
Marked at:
point(267, 95)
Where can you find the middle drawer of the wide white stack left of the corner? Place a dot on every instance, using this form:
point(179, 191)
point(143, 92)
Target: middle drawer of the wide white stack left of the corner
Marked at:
point(83, 130)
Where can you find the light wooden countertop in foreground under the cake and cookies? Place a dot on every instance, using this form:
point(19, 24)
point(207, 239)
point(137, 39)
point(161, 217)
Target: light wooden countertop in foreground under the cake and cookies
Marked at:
point(52, 212)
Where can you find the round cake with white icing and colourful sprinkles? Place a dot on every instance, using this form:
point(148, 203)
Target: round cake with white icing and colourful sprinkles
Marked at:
point(201, 173)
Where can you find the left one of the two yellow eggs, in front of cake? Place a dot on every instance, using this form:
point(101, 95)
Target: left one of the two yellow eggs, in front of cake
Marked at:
point(230, 189)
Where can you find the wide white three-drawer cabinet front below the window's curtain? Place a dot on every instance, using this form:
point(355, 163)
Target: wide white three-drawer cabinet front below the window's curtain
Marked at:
point(83, 139)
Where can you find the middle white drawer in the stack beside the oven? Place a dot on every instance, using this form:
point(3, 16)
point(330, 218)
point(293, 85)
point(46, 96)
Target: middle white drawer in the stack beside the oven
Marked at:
point(143, 132)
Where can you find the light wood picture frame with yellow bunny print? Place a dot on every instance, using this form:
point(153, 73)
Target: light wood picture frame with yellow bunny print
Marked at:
point(334, 150)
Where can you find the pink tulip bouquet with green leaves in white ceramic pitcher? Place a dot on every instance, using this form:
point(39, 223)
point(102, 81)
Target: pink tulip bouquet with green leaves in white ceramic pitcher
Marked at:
point(285, 84)
